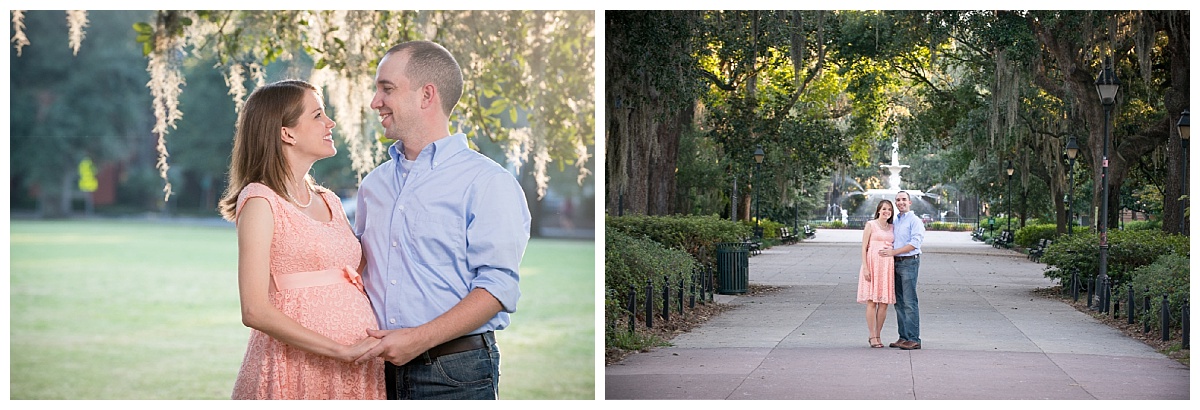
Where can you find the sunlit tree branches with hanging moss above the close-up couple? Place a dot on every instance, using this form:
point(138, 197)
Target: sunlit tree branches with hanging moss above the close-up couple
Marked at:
point(537, 63)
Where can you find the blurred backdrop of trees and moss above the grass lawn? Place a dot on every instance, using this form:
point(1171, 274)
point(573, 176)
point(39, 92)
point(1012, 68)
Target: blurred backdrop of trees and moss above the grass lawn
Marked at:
point(83, 123)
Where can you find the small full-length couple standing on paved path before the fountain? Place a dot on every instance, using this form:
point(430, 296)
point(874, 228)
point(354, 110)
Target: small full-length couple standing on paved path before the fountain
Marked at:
point(891, 258)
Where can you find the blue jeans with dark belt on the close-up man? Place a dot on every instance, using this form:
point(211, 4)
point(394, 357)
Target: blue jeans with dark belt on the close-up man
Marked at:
point(469, 376)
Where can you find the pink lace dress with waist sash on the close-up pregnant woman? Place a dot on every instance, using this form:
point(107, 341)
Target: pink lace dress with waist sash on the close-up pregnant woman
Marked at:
point(314, 281)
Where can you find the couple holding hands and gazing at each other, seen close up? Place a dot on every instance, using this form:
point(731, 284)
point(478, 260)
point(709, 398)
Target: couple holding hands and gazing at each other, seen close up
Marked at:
point(405, 304)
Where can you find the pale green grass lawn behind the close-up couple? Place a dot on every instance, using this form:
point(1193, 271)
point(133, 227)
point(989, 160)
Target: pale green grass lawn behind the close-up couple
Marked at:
point(125, 310)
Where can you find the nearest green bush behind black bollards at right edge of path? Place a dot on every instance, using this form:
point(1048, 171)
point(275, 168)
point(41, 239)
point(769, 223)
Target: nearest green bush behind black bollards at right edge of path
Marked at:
point(1169, 275)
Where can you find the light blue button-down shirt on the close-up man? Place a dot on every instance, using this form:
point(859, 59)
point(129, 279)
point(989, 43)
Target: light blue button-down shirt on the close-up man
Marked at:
point(436, 228)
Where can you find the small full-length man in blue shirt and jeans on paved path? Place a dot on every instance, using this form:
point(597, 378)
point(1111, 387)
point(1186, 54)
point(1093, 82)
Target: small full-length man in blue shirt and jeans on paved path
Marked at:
point(909, 232)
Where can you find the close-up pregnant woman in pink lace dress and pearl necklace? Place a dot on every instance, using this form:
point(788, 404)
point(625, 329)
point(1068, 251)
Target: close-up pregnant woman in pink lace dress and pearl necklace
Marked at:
point(298, 260)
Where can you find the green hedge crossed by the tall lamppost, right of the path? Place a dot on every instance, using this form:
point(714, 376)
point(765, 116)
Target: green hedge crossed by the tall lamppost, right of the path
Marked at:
point(1129, 251)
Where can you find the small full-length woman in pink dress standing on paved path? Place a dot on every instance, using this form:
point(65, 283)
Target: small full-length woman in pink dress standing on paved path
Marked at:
point(875, 281)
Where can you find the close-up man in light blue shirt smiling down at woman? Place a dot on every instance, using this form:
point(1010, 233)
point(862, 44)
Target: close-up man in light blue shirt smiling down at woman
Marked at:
point(443, 232)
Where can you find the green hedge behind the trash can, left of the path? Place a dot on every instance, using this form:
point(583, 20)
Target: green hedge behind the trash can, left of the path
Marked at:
point(697, 236)
